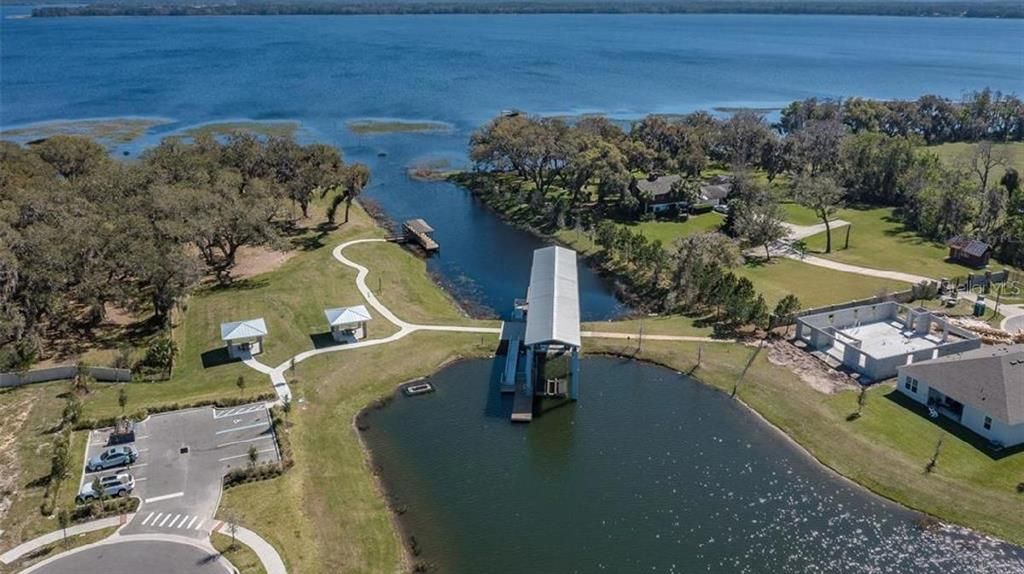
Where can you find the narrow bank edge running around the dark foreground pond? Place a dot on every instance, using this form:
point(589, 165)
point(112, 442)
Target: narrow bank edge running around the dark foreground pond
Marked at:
point(406, 535)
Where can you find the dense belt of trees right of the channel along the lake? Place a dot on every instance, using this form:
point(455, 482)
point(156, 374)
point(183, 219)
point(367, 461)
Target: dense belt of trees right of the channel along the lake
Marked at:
point(821, 154)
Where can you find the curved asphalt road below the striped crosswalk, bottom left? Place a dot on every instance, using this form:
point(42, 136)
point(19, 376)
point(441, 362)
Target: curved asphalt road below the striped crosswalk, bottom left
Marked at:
point(132, 557)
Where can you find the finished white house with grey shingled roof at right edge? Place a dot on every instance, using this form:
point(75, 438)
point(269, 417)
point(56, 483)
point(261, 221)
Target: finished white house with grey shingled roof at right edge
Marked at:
point(983, 390)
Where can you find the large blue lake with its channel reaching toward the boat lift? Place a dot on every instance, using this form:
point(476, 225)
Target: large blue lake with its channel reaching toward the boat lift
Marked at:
point(463, 70)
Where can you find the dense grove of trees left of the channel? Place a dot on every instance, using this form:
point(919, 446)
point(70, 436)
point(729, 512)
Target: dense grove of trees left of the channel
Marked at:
point(81, 231)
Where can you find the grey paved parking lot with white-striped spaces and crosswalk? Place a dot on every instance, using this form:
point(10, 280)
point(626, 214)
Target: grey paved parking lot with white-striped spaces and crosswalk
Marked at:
point(184, 457)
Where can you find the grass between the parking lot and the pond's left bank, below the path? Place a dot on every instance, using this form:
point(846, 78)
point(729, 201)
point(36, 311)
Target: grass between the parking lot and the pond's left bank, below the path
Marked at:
point(326, 515)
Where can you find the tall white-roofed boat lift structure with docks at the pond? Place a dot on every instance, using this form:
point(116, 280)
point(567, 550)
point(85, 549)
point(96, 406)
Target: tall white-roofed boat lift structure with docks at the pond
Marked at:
point(546, 348)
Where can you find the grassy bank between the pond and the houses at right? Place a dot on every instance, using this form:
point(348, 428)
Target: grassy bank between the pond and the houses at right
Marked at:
point(886, 450)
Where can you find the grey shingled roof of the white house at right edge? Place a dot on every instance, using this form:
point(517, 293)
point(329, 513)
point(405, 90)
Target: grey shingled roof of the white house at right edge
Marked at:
point(991, 379)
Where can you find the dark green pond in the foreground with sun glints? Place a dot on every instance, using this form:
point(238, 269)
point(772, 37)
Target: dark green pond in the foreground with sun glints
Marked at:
point(650, 472)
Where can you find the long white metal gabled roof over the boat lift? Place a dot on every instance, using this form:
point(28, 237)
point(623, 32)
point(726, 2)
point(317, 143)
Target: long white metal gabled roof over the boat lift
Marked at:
point(553, 313)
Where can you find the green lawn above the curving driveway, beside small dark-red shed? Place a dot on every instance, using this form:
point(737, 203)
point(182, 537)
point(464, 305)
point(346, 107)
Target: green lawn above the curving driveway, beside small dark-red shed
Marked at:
point(880, 241)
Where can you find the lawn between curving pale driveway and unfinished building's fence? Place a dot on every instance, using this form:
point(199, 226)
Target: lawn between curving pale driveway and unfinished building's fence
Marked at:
point(814, 286)
